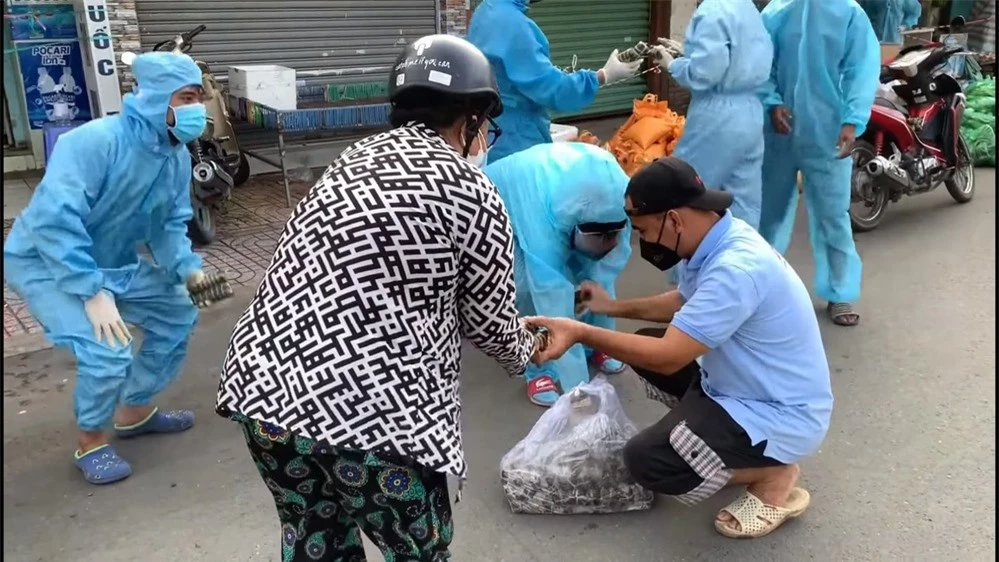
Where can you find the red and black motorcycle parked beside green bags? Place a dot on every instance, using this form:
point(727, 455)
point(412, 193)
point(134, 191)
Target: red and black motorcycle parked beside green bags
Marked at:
point(913, 141)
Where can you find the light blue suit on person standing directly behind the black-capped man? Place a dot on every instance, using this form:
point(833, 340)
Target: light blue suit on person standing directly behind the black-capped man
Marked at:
point(727, 59)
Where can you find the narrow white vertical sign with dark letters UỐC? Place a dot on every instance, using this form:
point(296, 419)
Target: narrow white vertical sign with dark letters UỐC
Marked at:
point(104, 73)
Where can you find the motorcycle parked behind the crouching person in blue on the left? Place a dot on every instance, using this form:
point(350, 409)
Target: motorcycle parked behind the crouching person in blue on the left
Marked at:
point(218, 165)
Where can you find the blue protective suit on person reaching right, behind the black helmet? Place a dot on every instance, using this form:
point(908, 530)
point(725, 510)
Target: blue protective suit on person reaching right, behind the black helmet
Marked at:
point(530, 86)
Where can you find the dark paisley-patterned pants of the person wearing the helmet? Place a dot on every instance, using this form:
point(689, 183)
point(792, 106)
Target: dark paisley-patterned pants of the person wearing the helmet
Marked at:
point(327, 497)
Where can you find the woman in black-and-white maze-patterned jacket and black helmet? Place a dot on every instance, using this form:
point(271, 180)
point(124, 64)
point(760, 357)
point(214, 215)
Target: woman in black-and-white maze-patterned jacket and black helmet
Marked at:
point(343, 371)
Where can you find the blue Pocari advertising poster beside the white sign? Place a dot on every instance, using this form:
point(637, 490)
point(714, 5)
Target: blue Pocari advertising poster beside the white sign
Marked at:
point(51, 62)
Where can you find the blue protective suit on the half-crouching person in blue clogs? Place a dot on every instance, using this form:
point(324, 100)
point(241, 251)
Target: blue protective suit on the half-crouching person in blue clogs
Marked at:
point(111, 185)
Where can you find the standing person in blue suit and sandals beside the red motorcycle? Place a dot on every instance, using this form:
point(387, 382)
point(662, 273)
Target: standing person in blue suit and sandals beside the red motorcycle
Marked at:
point(825, 75)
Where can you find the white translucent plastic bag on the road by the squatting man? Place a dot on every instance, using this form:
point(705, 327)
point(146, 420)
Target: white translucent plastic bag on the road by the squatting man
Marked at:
point(572, 460)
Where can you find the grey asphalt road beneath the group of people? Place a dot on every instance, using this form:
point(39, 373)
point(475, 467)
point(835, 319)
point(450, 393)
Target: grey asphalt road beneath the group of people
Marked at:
point(907, 472)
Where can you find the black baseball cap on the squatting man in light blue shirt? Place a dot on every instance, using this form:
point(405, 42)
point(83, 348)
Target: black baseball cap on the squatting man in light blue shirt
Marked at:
point(670, 183)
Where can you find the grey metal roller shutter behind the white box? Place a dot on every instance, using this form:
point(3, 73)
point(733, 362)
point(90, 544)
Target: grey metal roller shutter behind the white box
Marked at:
point(345, 41)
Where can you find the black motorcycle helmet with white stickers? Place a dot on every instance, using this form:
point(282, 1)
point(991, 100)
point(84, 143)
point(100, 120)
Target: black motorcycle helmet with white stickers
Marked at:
point(440, 79)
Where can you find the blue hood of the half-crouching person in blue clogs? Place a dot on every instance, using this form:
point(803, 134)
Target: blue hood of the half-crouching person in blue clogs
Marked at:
point(158, 75)
